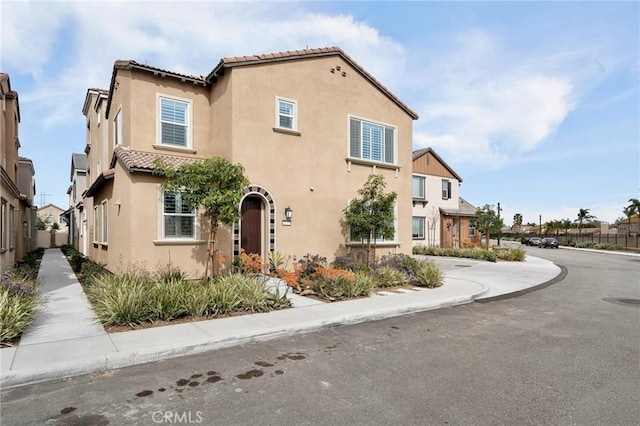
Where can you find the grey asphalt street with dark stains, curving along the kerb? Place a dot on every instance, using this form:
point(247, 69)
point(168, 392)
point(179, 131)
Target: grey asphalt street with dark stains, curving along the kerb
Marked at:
point(564, 354)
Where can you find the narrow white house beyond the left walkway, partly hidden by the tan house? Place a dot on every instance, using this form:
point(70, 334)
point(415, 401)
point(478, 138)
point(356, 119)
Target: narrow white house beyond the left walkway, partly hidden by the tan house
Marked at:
point(74, 217)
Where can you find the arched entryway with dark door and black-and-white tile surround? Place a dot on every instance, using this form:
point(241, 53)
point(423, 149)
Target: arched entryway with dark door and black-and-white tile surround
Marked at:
point(256, 230)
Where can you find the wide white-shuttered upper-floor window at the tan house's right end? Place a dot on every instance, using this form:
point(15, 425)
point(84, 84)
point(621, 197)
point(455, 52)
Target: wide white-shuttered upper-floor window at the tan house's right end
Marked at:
point(371, 141)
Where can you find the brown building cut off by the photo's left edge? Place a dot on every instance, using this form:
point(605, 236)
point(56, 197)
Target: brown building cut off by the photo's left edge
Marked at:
point(17, 186)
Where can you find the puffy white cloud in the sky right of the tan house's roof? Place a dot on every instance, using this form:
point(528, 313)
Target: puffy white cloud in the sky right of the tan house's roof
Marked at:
point(486, 105)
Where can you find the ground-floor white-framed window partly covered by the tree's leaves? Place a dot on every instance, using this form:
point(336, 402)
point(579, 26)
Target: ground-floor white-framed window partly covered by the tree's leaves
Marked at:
point(178, 219)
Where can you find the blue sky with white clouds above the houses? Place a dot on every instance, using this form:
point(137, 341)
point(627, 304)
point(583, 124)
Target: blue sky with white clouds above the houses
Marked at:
point(535, 104)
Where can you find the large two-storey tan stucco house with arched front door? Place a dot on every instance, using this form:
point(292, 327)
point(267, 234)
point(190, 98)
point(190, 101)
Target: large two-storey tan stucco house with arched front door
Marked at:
point(308, 126)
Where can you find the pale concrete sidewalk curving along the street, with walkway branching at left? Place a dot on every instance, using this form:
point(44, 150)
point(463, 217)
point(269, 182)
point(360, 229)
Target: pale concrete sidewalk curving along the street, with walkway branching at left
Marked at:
point(66, 339)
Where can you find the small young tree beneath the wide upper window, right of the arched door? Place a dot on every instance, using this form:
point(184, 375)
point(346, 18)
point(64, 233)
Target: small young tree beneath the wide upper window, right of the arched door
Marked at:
point(371, 216)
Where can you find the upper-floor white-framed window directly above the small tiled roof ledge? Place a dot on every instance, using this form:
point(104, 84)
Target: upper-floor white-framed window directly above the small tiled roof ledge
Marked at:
point(174, 119)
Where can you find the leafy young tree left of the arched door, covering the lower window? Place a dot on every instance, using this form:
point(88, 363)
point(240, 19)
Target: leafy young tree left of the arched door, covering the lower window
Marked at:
point(214, 185)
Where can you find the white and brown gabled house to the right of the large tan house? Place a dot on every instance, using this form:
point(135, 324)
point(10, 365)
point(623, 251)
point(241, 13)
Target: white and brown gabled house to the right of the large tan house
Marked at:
point(441, 218)
